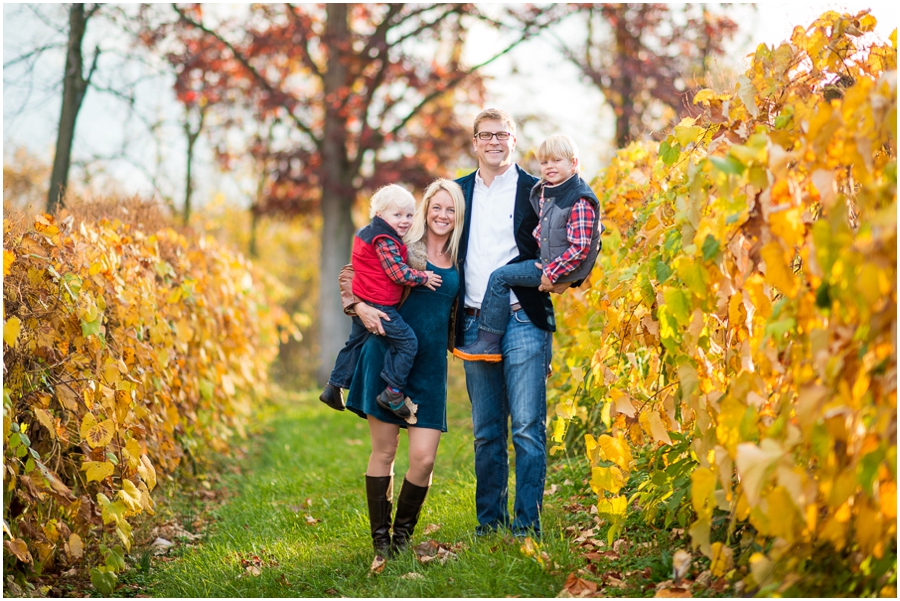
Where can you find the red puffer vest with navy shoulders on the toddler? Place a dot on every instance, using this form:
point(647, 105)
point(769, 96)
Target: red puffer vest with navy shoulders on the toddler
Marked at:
point(370, 282)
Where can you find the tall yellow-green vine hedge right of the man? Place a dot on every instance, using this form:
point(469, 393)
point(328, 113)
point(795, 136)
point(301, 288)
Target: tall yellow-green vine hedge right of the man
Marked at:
point(740, 331)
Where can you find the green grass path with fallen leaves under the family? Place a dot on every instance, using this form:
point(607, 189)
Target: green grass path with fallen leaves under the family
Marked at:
point(307, 451)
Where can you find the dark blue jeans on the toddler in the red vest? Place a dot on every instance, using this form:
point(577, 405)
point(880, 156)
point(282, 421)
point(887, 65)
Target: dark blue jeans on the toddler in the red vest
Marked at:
point(398, 360)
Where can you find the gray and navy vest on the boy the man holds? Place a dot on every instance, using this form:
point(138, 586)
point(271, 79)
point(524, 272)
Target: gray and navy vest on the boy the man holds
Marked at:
point(558, 203)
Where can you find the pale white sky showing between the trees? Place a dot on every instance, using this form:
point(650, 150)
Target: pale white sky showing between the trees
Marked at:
point(517, 83)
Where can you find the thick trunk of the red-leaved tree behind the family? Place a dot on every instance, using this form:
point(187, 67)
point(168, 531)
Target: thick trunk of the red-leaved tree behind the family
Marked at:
point(337, 197)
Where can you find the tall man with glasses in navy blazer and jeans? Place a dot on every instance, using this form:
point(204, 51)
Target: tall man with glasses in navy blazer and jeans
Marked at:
point(498, 229)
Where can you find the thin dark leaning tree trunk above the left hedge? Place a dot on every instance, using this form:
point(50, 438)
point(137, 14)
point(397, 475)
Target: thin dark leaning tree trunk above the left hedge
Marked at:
point(74, 87)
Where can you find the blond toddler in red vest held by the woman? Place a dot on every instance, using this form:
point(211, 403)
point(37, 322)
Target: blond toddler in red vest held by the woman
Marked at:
point(380, 273)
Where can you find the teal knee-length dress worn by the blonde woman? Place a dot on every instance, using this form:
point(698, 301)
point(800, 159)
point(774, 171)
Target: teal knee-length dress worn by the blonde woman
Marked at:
point(428, 314)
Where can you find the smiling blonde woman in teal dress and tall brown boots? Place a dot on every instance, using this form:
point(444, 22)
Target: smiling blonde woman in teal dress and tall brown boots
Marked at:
point(433, 243)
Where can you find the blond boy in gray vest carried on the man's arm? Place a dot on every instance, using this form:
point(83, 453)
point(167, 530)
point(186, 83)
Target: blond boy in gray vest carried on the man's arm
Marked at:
point(568, 234)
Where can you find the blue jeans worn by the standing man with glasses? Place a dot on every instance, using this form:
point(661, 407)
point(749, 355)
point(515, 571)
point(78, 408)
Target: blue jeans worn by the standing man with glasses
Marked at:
point(514, 391)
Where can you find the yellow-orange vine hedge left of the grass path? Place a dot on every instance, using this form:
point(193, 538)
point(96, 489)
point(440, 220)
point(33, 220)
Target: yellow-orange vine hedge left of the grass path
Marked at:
point(126, 353)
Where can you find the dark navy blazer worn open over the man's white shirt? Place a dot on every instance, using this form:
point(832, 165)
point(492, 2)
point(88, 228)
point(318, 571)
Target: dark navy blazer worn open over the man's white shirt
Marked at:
point(536, 304)
